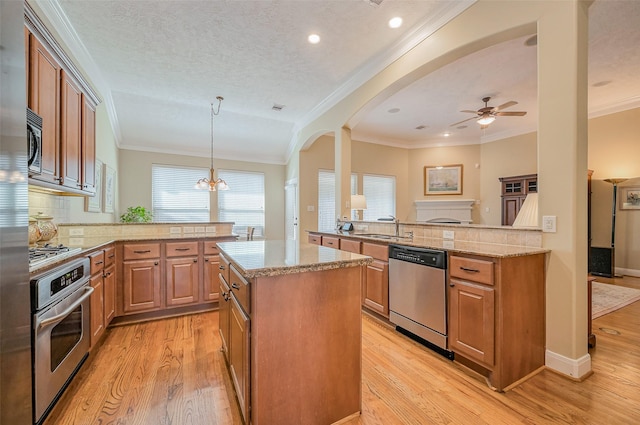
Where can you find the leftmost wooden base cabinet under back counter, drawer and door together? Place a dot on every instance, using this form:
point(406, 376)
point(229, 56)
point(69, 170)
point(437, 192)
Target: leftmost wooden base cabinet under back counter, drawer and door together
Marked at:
point(141, 277)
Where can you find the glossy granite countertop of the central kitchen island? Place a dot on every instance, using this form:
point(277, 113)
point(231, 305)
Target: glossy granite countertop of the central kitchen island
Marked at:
point(278, 257)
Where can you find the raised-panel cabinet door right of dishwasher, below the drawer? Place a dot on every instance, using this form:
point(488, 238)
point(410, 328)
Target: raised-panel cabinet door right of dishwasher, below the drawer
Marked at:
point(472, 320)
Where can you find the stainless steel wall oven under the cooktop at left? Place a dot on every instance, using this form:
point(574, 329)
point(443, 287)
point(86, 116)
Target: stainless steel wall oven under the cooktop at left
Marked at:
point(61, 330)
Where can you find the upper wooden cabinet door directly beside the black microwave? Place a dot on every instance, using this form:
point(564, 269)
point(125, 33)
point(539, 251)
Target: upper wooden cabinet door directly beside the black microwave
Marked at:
point(44, 100)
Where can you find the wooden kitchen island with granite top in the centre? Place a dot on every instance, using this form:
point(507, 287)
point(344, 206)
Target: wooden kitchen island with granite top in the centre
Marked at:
point(291, 330)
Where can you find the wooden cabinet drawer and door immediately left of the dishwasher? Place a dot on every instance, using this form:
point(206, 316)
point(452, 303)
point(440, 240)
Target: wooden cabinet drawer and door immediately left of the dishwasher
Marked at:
point(375, 285)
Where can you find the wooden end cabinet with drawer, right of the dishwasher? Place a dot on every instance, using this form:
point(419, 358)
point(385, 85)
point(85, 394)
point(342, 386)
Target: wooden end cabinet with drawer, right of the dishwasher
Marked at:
point(497, 315)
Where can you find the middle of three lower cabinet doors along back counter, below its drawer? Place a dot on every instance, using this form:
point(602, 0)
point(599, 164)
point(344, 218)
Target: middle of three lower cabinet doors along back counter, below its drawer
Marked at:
point(182, 280)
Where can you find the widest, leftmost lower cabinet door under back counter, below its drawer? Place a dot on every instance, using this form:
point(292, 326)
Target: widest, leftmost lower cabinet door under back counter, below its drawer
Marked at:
point(141, 286)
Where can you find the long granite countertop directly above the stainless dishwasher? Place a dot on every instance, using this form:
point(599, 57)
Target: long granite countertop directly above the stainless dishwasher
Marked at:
point(476, 248)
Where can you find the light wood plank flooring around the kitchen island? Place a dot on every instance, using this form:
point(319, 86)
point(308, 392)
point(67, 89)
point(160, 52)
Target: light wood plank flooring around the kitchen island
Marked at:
point(171, 372)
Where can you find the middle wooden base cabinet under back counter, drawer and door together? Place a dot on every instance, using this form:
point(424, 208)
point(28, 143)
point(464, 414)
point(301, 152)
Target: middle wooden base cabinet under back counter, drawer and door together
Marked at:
point(182, 273)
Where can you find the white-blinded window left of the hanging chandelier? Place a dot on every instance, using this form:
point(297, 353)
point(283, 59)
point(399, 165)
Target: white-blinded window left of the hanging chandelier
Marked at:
point(174, 198)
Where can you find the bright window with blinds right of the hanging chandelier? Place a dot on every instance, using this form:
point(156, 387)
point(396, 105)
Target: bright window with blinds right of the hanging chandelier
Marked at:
point(243, 203)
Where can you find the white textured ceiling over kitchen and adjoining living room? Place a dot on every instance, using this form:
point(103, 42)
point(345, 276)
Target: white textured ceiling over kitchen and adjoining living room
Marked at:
point(160, 63)
